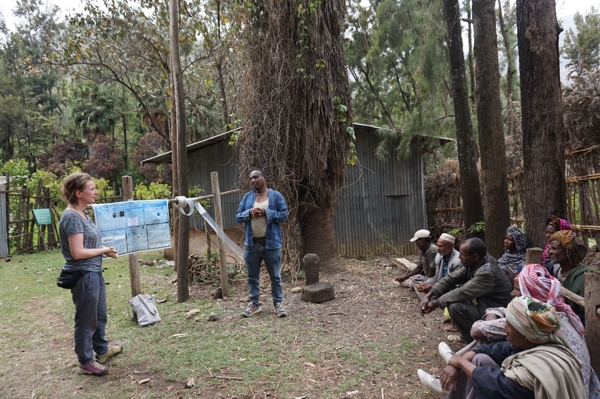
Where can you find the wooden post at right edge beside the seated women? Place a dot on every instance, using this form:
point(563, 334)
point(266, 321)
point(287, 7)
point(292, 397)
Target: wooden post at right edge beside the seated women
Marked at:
point(592, 318)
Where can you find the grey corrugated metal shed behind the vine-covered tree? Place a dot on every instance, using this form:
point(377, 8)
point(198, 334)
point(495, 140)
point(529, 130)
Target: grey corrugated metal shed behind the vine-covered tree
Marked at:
point(379, 208)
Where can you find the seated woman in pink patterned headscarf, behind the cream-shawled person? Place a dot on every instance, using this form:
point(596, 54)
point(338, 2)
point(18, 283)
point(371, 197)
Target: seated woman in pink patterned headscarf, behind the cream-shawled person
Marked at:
point(536, 282)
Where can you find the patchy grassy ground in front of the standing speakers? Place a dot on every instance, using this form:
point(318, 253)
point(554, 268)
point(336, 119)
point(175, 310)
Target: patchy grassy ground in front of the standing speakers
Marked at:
point(302, 356)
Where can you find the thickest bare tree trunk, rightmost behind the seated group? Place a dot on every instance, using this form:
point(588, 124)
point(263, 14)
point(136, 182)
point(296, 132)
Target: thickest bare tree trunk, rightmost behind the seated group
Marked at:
point(543, 142)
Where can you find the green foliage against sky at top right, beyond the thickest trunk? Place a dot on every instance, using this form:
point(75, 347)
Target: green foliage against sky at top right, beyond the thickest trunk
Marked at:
point(582, 47)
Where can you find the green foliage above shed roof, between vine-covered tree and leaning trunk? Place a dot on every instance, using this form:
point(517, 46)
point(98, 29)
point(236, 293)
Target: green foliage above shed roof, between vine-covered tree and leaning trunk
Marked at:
point(397, 58)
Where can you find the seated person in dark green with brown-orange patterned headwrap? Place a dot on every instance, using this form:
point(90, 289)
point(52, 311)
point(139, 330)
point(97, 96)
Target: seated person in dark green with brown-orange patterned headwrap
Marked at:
point(567, 251)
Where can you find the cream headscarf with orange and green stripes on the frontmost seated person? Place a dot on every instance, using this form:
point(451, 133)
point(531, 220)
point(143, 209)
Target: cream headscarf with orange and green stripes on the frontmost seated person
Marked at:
point(536, 320)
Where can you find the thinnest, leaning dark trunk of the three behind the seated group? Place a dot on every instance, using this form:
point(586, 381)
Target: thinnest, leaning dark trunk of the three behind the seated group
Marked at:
point(467, 151)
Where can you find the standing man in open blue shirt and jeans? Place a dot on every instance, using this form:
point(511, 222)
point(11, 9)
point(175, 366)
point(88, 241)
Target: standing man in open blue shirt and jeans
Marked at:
point(262, 210)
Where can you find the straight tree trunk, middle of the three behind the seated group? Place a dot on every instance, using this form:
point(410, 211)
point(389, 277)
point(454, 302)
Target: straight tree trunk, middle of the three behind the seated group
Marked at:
point(490, 127)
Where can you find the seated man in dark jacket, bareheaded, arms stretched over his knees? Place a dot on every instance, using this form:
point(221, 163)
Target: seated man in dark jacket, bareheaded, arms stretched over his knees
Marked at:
point(482, 284)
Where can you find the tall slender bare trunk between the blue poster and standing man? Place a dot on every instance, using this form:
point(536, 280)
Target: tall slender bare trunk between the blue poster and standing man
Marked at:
point(183, 231)
